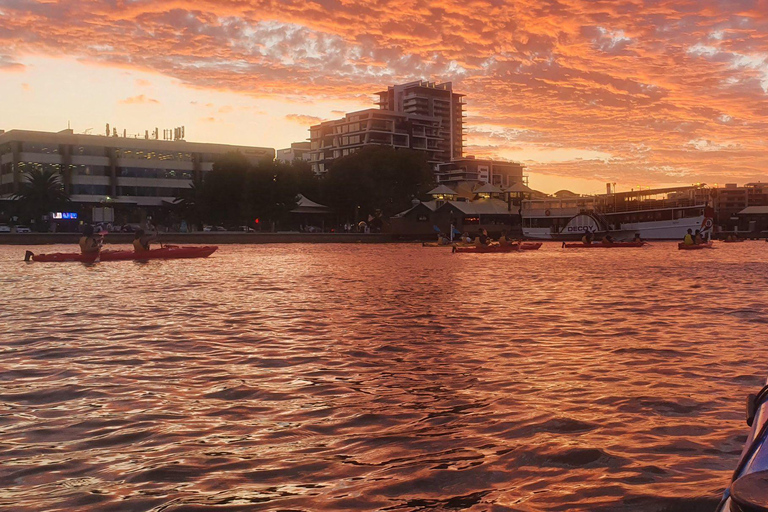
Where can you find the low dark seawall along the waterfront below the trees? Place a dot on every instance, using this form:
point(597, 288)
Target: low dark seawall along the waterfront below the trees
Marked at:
point(205, 238)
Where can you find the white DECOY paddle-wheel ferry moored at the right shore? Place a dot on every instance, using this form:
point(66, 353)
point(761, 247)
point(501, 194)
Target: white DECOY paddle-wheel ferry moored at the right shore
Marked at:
point(656, 214)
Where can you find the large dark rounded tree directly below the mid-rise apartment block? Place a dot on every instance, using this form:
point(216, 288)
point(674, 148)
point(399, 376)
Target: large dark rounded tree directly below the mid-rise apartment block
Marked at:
point(376, 178)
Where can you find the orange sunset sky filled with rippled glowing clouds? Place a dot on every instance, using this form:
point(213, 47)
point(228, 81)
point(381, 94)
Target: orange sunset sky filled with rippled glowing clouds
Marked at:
point(634, 92)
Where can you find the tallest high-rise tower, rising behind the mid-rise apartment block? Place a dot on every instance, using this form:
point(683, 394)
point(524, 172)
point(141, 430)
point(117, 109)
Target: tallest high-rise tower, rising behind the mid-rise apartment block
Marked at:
point(429, 99)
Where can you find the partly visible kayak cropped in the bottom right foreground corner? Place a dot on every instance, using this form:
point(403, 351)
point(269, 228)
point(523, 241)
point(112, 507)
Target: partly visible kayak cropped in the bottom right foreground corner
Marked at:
point(748, 490)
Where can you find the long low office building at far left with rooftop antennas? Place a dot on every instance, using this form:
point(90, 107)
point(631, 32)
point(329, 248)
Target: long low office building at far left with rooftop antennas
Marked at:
point(96, 169)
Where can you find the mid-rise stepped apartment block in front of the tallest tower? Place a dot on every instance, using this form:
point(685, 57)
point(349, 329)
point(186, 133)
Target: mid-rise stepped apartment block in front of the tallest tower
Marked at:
point(334, 139)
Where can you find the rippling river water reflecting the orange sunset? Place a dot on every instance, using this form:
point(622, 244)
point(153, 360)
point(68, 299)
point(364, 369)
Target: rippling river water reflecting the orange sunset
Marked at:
point(379, 377)
